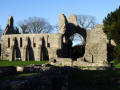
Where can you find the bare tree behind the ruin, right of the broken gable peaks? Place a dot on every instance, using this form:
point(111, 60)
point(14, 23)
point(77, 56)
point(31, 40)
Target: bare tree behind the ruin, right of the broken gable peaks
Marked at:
point(85, 21)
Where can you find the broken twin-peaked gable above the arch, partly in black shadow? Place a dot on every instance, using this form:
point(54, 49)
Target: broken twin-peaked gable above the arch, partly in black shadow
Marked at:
point(68, 26)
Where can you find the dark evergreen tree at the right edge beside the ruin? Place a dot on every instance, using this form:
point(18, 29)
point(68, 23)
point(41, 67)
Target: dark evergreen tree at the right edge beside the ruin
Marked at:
point(112, 30)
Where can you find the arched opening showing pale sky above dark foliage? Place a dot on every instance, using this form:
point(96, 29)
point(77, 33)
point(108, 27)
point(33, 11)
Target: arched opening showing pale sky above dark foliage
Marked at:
point(75, 46)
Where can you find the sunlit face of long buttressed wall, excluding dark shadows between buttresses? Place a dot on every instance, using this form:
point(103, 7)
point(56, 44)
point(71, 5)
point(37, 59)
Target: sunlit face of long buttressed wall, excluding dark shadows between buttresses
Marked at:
point(50, 42)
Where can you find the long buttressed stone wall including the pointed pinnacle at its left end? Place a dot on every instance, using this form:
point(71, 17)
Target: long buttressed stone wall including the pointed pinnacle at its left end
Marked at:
point(28, 46)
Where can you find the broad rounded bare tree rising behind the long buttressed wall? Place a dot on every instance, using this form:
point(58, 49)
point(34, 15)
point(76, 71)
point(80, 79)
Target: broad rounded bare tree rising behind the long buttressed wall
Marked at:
point(35, 25)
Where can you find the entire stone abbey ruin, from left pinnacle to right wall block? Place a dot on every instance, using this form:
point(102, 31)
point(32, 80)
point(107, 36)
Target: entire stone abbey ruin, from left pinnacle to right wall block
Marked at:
point(54, 47)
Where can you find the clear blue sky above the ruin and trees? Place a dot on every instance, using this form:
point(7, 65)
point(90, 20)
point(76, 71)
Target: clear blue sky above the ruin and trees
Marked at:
point(50, 9)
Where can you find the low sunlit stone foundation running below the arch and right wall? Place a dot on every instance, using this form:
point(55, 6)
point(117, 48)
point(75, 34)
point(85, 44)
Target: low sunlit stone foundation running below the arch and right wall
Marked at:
point(79, 63)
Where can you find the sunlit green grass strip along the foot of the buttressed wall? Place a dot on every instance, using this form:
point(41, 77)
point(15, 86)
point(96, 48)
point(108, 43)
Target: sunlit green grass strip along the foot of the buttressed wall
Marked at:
point(20, 63)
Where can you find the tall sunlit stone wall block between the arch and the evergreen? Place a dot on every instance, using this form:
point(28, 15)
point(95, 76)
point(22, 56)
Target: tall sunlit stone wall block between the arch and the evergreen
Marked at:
point(96, 45)
